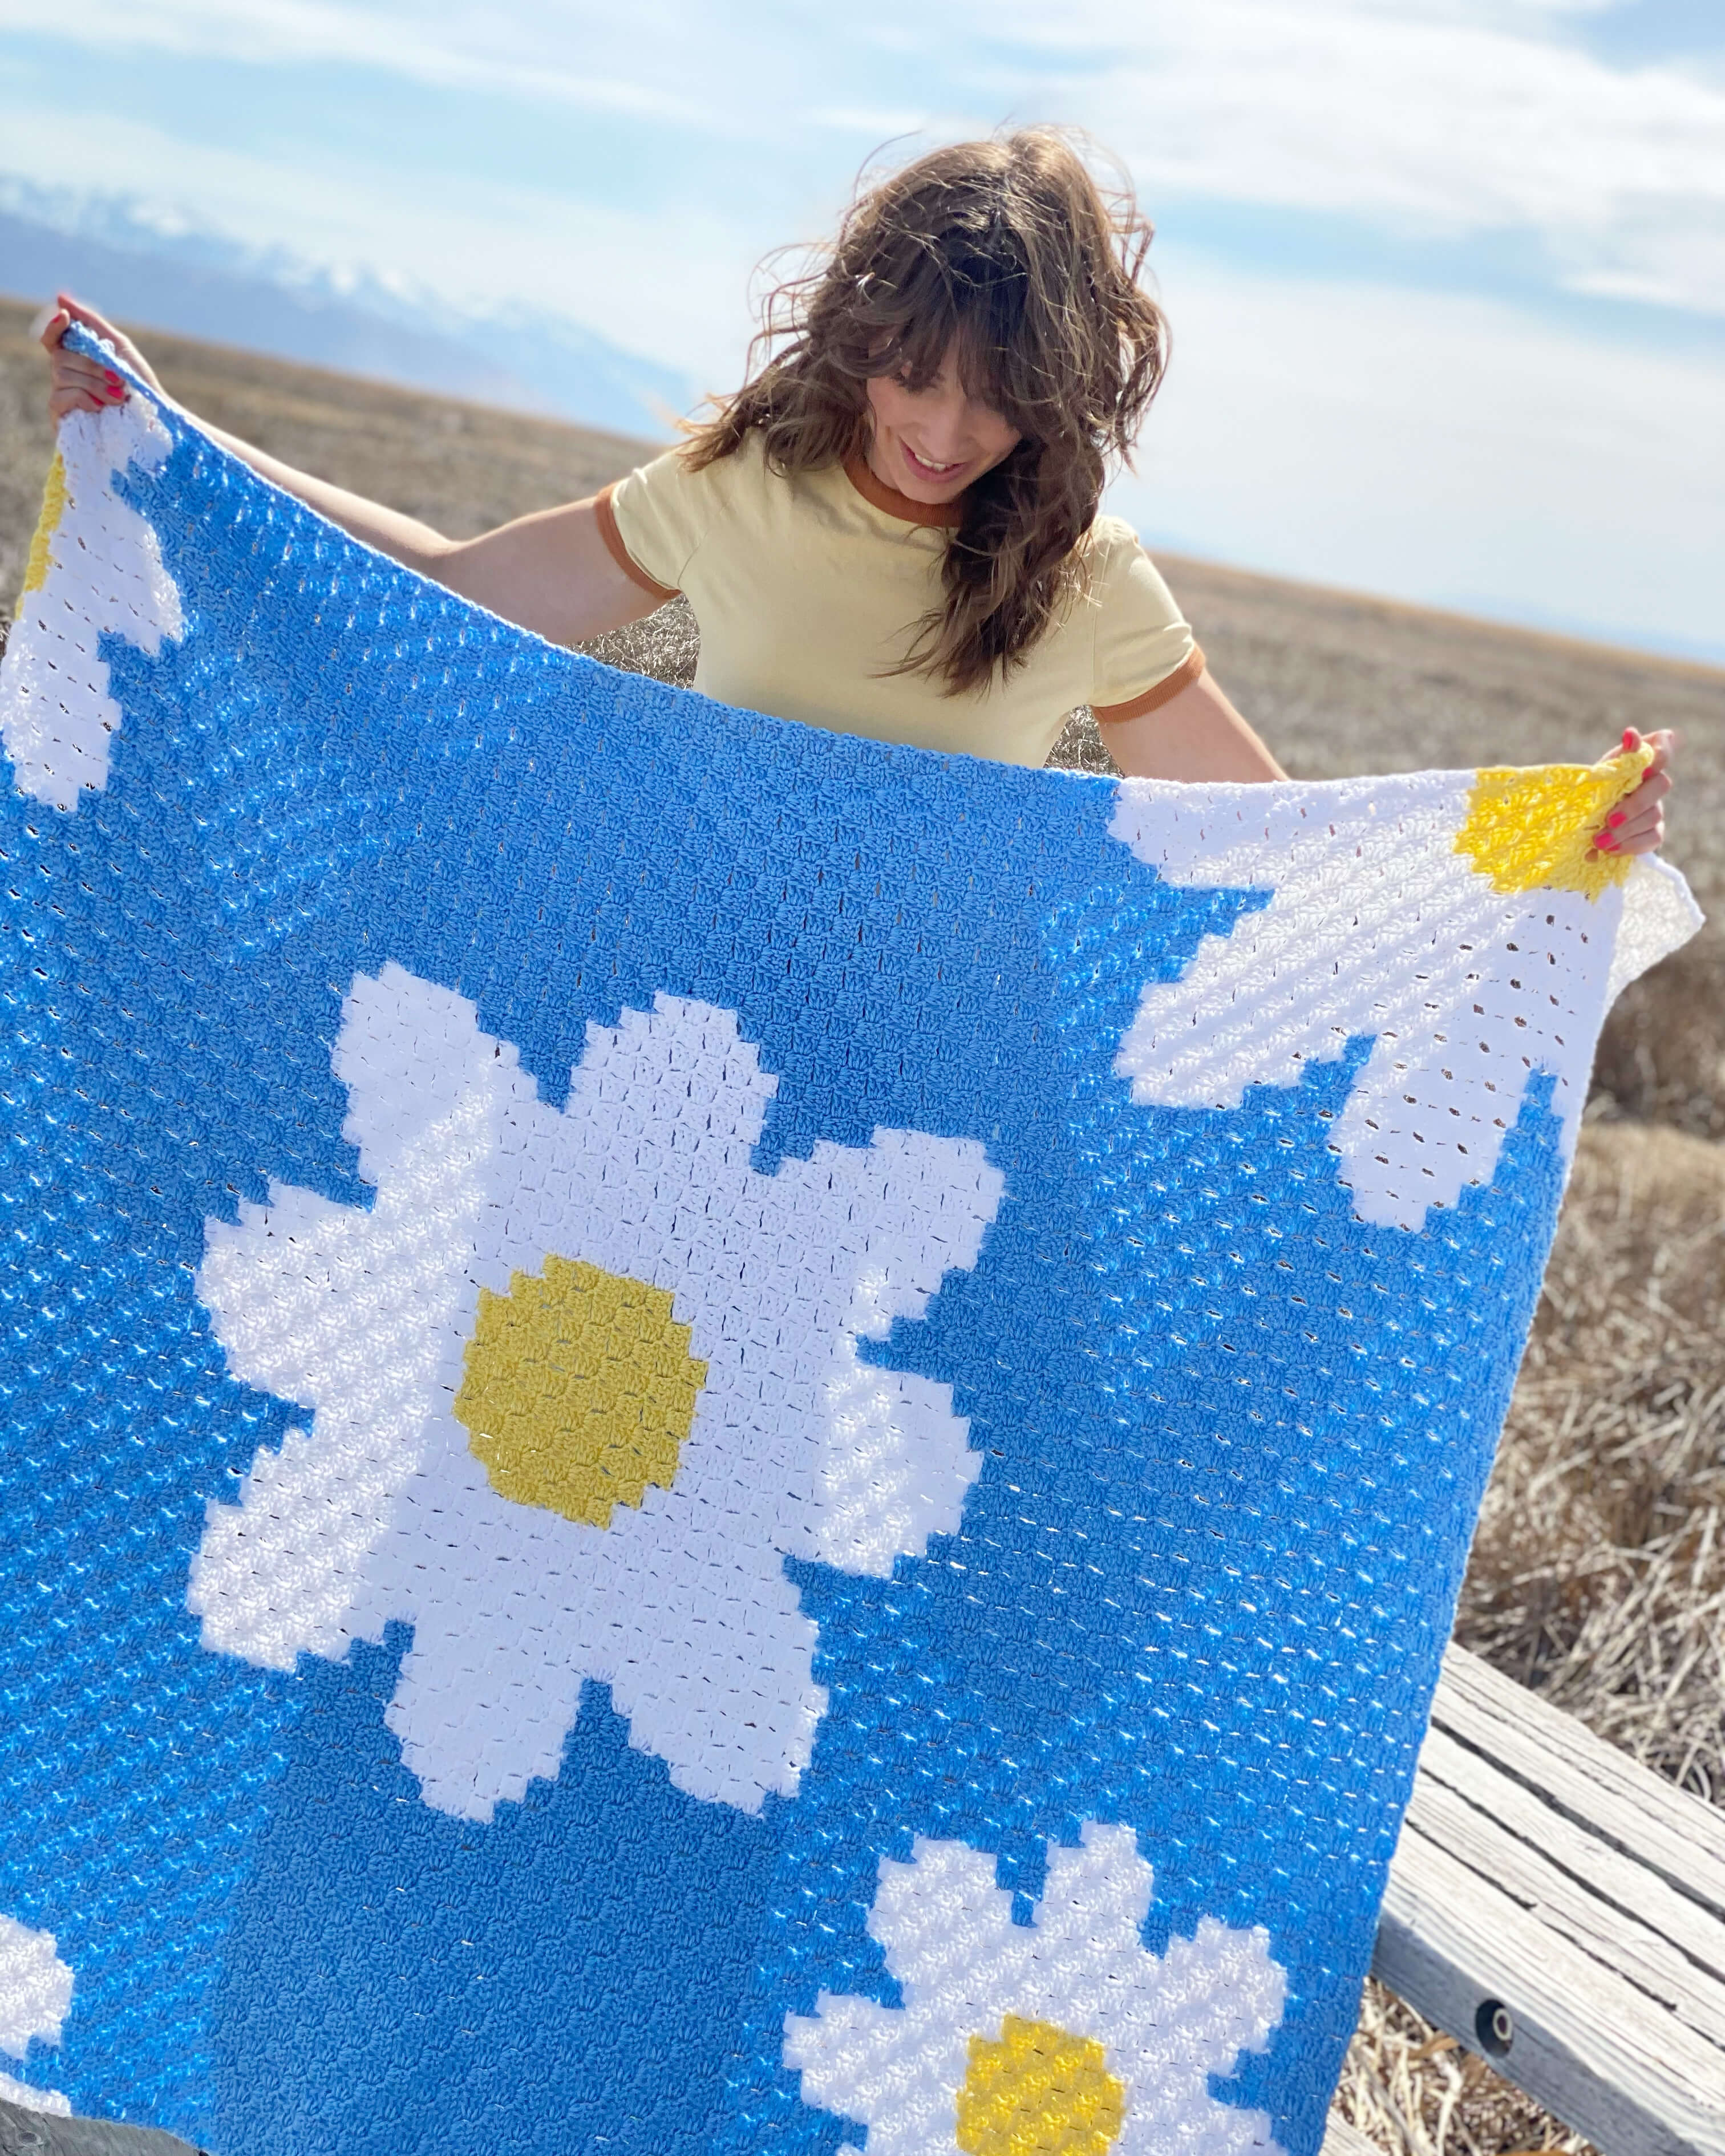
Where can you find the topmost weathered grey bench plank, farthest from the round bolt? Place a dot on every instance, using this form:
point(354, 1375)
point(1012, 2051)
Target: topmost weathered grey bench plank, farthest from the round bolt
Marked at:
point(1590, 1782)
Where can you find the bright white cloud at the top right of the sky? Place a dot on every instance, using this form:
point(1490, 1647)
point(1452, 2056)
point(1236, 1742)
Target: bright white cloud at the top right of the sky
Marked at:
point(1424, 120)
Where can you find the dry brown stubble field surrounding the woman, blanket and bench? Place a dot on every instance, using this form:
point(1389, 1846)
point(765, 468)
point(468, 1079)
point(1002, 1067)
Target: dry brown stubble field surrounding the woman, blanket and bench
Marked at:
point(1599, 1575)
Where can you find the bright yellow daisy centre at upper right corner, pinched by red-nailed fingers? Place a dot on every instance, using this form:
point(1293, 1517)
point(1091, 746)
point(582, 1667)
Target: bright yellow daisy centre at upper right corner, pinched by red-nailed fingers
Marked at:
point(1534, 831)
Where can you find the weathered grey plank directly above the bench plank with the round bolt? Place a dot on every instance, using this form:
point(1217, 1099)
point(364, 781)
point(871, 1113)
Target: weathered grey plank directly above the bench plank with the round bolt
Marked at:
point(1586, 1890)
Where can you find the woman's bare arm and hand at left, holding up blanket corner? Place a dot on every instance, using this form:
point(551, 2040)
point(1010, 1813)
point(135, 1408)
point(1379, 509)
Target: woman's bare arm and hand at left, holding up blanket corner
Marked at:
point(549, 572)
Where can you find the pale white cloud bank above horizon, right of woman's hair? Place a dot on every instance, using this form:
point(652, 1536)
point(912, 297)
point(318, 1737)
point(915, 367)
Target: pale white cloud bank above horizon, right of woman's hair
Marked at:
point(1437, 450)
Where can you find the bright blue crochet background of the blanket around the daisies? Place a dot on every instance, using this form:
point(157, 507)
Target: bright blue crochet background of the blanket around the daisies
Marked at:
point(1204, 1577)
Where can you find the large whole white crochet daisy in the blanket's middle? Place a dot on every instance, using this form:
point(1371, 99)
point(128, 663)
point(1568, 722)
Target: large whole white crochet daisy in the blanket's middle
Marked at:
point(581, 1383)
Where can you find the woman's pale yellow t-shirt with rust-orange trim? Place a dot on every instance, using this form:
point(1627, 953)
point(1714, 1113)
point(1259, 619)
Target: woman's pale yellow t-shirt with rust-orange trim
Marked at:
point(808, 590)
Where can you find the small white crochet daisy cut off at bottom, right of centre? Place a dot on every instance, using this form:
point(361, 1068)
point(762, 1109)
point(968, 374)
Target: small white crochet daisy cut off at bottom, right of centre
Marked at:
point(1055, 2038)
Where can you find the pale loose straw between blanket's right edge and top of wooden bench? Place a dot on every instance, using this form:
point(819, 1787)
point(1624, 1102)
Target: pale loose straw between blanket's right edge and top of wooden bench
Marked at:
point(1599, 1571)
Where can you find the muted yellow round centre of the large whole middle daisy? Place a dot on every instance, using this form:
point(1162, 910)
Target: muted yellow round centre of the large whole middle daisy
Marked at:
point(579, 1390)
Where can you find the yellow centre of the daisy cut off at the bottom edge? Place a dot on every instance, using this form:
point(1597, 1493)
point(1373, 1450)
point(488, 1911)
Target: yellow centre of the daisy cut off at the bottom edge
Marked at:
point(1038, 2092)
